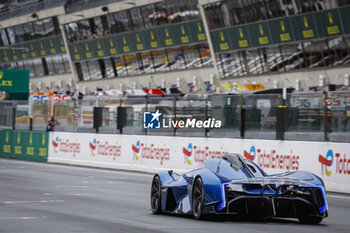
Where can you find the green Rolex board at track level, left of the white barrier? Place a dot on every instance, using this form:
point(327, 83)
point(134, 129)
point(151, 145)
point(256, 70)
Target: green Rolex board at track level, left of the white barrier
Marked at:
point(26, 145)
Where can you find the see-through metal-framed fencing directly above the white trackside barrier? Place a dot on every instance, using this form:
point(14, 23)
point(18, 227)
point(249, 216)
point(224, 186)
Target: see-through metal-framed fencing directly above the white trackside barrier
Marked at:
point(309, 116)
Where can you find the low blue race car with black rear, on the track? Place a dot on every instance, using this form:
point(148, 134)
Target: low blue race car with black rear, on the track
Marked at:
point(235, 186)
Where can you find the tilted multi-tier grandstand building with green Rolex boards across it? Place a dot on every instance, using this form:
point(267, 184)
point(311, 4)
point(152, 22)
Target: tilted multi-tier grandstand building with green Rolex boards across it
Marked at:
point(204, 46)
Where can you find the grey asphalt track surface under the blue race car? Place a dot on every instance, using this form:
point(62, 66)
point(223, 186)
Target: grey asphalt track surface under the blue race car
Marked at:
point(50, 198)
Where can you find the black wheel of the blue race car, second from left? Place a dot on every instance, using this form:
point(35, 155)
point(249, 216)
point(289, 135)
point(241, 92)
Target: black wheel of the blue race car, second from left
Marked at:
point(198, 199)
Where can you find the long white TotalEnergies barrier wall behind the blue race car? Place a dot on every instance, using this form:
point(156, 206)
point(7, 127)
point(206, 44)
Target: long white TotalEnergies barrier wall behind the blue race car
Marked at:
point(330, 161)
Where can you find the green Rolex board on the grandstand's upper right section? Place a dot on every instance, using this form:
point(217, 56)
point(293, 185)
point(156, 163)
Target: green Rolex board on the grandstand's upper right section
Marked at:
point(316, 25)
